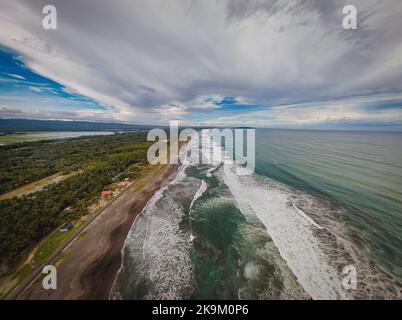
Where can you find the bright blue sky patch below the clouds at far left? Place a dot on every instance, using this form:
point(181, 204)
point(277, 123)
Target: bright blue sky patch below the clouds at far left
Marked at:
point(19, 84)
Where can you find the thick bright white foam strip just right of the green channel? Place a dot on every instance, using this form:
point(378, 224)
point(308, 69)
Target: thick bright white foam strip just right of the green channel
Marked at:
point(291, 232)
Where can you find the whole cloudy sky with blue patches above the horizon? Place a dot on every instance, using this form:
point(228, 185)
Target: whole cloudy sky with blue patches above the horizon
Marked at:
point(264, 63)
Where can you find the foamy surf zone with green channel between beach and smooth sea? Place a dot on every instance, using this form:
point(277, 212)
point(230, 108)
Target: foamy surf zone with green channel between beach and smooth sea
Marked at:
point(211, 233)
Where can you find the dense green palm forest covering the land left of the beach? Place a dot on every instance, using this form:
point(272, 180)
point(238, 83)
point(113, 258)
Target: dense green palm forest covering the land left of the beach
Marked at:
point(99, 161)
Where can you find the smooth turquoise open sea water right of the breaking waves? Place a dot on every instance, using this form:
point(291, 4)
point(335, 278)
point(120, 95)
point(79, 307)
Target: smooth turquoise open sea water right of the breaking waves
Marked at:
point(360, 171)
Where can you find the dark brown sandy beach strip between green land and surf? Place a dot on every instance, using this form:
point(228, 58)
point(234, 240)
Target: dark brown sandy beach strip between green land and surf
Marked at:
point(96, 257)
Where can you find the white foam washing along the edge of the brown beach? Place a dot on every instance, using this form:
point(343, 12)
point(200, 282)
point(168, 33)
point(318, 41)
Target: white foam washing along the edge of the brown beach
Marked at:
point(158, 248)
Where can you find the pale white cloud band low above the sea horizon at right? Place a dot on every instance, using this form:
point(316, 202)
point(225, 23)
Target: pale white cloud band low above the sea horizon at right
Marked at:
point(351, 110)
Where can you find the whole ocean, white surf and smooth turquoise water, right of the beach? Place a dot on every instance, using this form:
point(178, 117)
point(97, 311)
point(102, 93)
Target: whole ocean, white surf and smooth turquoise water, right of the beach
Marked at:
point(319, 201)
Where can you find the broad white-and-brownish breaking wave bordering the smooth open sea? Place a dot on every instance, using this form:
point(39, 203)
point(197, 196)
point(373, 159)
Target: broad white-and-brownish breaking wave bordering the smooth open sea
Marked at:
point(310, 236)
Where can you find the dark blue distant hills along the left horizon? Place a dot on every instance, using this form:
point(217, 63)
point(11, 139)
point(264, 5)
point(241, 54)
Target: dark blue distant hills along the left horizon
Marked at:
point(26, 125)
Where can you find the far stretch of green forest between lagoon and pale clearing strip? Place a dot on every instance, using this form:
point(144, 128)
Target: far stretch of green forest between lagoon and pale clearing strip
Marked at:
point(24, 163)
